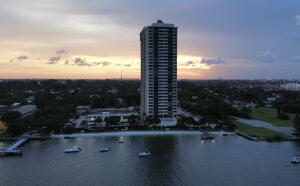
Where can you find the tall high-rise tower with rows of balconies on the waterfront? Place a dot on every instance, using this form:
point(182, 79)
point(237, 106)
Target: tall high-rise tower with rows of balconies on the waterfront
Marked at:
point(159, 70)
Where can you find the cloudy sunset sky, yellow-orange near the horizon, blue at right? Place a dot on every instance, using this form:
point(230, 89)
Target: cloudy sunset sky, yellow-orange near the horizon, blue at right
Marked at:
point(99, 39)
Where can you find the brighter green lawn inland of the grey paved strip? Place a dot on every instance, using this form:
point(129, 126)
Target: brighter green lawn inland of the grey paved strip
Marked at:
point(270, 115)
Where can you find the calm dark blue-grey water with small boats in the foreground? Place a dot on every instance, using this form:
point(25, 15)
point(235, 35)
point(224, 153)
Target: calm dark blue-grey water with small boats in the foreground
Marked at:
point(175, 160)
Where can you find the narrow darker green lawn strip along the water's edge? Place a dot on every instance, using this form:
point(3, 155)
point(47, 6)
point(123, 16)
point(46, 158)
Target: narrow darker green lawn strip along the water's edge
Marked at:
point(257, 131)
